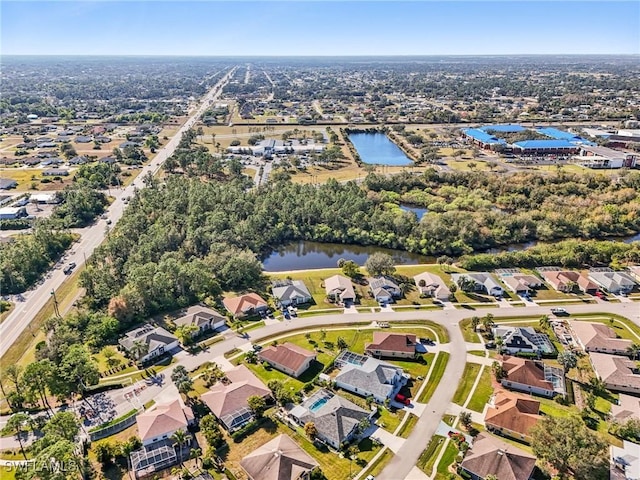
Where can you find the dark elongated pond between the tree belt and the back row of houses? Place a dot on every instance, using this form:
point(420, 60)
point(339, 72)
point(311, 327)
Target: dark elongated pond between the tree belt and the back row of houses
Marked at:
point(306, 255)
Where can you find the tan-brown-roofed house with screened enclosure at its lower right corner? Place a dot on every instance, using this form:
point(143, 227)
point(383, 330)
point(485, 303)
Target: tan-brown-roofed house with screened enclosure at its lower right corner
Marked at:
point(228, 402)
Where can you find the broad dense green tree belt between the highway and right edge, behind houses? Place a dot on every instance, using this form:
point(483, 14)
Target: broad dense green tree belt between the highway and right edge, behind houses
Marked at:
point(189, 240)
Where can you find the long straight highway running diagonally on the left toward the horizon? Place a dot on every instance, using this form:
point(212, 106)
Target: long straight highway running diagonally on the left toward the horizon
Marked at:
point(92, 236)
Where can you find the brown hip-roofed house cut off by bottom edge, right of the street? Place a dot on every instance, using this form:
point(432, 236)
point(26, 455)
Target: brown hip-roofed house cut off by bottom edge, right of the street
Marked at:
point(491, 456)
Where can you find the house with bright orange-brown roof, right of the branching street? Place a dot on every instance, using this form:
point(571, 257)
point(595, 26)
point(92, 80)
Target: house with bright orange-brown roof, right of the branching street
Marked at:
point(512, 415)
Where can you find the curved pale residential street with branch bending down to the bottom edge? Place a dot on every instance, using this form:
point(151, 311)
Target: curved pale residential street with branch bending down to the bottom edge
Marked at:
point(402, 464)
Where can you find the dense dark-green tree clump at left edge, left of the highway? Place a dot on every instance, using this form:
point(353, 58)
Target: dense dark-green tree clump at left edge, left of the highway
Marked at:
point(27, 257)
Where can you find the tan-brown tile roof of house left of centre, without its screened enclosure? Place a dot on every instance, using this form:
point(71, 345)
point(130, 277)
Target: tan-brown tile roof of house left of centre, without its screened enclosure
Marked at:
point(225, 399)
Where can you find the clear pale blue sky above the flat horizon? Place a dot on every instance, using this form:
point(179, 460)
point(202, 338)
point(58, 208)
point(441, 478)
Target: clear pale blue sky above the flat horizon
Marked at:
point(319, 28)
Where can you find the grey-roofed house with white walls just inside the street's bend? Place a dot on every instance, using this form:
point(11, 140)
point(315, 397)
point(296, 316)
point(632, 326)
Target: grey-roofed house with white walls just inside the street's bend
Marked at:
point(367, 376)
